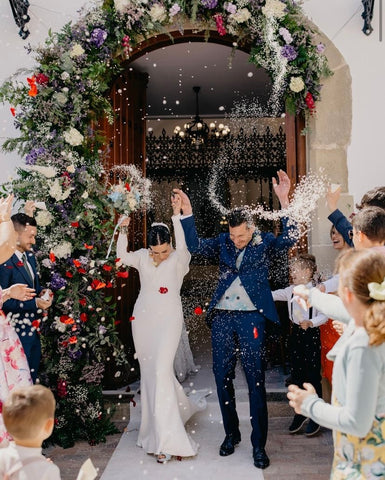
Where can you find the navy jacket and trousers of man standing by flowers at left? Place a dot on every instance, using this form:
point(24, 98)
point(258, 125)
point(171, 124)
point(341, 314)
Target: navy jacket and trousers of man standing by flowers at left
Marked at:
point(23, 313)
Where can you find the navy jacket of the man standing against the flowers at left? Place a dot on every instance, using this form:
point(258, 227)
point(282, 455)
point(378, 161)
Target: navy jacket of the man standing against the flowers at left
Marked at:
point(13, 271)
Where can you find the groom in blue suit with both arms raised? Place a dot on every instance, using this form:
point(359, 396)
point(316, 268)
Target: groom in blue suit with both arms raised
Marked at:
point(238, 311)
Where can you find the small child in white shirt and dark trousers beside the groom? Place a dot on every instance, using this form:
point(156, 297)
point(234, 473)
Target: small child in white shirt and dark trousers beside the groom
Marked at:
point(304, 339)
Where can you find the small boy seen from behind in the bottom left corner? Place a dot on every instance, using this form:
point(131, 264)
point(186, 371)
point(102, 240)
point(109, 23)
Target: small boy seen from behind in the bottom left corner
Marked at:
point(28, 415)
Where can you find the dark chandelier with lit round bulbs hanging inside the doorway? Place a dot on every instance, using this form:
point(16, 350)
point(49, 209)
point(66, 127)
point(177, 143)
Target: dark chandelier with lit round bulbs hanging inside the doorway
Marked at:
point(197, 131)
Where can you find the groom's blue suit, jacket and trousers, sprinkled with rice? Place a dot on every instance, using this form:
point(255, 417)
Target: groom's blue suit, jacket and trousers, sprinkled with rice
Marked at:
point(236, 330)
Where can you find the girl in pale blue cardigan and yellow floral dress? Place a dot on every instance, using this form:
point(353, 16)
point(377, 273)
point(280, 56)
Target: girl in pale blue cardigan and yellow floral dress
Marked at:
point(358, 397)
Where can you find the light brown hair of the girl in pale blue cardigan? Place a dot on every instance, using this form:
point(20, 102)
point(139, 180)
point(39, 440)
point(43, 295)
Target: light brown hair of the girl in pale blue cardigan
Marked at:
point(358, 268)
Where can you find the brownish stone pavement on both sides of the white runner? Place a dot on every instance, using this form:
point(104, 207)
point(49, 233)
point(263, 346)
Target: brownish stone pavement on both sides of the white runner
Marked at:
point(293, 457)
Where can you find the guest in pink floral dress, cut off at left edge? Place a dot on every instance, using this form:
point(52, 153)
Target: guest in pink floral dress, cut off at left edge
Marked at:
point(14, 369)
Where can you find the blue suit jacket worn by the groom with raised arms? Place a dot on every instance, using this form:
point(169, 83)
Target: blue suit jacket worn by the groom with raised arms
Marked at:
point(253, 271)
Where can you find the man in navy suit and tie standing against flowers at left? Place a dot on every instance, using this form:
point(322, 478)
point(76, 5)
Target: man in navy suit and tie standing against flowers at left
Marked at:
point(21, 268)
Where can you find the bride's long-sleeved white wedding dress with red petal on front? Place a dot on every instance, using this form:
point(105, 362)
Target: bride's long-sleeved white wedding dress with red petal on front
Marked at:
point(156, 328)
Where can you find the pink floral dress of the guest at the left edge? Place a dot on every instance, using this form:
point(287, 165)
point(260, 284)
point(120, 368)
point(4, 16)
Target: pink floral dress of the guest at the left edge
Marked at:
point(14, 370)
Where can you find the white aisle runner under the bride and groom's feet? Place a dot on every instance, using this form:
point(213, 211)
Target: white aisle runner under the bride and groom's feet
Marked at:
point(130, 462)
